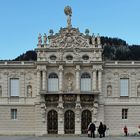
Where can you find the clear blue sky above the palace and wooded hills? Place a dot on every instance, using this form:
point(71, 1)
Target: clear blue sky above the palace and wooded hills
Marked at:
point(22, 20)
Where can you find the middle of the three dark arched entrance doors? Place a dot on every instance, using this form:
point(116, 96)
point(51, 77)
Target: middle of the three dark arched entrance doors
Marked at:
point(69, 124)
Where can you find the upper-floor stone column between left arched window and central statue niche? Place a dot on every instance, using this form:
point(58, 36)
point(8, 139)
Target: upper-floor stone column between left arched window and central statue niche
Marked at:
point(60, 78)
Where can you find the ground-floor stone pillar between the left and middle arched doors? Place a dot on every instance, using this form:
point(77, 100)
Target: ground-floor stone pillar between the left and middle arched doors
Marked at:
point(60, 116)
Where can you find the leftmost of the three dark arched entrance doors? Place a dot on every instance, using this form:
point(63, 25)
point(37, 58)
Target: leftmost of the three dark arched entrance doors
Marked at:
point(52, 121)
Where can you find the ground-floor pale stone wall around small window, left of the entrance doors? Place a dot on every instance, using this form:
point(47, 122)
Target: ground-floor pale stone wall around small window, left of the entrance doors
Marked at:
point(24, 124)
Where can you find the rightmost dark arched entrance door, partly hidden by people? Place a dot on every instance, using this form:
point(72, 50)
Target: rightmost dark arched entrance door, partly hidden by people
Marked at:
point(85, 120)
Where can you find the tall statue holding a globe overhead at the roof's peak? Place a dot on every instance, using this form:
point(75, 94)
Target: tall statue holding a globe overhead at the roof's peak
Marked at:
point(68, 12)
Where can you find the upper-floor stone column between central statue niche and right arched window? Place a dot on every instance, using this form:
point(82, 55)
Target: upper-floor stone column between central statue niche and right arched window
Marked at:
point(77, 78)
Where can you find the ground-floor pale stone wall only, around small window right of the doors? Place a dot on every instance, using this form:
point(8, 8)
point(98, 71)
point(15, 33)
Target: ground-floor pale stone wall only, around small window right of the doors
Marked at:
point(114, 121)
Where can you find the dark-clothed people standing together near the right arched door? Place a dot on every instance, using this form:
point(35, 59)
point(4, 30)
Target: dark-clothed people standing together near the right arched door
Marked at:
point(92, 128)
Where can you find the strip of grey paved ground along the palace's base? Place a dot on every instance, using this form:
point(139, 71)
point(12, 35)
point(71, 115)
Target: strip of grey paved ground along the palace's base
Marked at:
point(64, 138)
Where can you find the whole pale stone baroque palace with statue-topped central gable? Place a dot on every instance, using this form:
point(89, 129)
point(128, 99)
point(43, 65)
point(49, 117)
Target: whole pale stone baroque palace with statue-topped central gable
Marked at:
point(68, 86)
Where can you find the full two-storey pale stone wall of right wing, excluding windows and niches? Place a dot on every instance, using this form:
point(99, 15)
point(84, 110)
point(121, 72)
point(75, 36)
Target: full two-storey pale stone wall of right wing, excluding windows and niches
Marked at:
point(113, 103)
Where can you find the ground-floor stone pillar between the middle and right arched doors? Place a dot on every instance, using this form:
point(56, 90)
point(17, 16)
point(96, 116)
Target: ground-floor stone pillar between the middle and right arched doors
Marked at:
point(78, 116)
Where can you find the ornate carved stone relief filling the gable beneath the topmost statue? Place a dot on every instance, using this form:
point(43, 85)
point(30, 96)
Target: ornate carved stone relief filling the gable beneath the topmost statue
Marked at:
point(68, 38)
